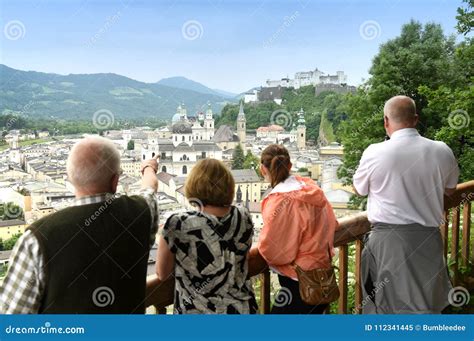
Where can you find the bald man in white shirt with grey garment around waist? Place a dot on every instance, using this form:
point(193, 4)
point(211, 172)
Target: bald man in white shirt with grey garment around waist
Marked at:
point(405, 178)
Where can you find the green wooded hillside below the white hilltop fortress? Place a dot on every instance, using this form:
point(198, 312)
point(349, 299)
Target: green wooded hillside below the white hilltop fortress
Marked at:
point(326, 104)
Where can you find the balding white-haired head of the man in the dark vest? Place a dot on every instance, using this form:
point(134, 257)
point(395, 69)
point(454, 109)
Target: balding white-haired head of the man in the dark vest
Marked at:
point(93, 163)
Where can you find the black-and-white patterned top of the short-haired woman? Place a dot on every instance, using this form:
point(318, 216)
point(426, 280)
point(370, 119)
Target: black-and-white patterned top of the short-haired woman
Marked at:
point(211, 262)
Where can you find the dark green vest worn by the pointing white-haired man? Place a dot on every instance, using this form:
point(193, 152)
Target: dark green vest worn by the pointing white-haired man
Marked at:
point(95, 257)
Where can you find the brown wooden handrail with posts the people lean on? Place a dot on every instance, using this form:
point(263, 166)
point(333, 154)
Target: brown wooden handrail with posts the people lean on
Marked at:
point(350, 229)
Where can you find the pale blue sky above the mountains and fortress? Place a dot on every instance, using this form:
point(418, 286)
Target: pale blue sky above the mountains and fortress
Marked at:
point(237, 44)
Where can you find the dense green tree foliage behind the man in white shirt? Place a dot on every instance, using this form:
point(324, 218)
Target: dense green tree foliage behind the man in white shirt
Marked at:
point(429, 67)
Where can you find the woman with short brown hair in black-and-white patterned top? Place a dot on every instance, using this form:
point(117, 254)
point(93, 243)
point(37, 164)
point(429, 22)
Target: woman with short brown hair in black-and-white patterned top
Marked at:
point(207, 248)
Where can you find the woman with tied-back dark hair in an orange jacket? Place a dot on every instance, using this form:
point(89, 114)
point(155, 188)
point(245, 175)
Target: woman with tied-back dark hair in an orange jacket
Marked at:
point(299, 225)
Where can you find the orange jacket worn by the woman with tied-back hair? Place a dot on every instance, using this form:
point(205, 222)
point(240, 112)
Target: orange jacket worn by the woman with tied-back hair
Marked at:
point(298, 225)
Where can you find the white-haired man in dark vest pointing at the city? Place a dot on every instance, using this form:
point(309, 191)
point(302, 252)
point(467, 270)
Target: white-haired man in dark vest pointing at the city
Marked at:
point(91, 257)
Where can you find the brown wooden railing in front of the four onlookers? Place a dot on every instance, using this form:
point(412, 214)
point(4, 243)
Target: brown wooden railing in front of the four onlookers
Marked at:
point(351, 230)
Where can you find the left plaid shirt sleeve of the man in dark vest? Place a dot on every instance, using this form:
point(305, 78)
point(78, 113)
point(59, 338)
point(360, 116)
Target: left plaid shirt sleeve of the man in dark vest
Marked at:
point(22, 288)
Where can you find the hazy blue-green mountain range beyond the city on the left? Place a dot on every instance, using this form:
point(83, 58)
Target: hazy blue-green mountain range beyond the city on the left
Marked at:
point(38, 94)
